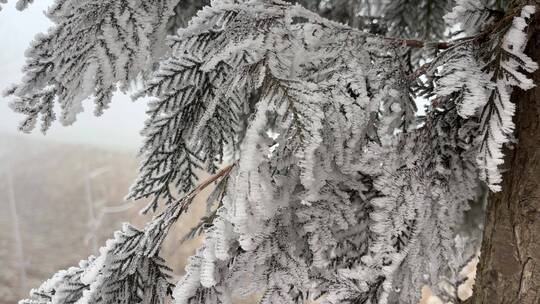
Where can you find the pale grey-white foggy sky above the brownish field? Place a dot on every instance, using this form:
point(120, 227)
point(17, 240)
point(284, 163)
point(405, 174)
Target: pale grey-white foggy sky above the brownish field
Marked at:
point(118, 128)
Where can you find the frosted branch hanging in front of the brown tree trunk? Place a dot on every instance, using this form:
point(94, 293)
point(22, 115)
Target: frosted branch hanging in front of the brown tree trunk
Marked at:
point(480, 76)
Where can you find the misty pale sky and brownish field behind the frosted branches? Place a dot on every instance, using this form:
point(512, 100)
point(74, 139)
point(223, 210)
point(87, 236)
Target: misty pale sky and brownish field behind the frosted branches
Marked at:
point(61, 194)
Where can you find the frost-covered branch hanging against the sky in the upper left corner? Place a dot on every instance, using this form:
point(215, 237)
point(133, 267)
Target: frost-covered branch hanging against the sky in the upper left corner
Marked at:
point(93, 48)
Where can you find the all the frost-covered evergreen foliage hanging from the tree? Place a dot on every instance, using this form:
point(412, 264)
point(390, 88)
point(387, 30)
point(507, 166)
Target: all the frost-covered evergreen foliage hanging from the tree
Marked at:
point(327, 184)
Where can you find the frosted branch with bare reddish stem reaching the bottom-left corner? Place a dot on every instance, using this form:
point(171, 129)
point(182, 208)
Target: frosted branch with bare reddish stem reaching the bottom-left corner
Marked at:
point(128, 267)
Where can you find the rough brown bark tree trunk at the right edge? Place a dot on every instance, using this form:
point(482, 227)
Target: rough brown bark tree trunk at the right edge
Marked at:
point(509, 268)
